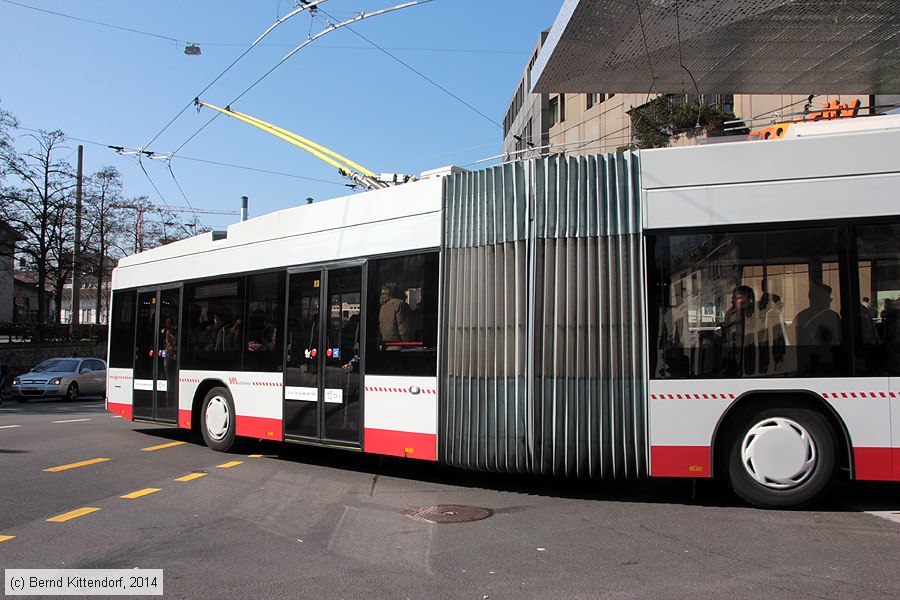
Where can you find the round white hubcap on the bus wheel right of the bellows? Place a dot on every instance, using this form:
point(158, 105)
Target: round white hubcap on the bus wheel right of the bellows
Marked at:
point(779, 453)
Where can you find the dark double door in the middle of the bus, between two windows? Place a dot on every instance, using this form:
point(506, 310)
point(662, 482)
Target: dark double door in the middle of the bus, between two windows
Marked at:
point(322, 365)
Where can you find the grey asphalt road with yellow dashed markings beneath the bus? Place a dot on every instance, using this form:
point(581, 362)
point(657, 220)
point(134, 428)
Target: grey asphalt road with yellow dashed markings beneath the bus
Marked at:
point(288, 521)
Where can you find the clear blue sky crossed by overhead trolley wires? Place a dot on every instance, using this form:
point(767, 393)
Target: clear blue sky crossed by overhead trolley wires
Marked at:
point(124, 83)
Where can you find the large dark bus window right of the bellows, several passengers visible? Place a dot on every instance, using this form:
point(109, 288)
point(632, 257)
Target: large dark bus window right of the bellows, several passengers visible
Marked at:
point(762, 304)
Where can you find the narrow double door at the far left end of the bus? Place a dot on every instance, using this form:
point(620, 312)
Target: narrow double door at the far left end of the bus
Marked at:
point(156, 356)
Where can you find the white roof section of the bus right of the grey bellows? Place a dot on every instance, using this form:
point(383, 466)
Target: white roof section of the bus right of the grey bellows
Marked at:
point(842, 172)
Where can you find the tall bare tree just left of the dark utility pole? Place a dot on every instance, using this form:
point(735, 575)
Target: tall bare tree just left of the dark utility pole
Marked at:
point(36, 206)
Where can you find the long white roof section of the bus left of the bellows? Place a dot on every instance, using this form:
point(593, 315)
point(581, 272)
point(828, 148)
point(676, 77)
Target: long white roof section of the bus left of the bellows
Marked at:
point(399, 218)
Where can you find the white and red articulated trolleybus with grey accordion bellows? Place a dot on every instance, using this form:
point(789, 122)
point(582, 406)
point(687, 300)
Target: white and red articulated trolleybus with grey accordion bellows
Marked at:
point(728, 310)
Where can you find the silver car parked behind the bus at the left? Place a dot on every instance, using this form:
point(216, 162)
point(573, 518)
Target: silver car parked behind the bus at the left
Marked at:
point(61, 377)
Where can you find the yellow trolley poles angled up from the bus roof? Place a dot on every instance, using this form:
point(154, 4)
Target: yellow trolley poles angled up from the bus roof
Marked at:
point(355, 172)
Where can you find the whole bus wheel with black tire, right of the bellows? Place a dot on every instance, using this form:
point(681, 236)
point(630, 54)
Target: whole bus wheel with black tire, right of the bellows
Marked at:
point(782, 457)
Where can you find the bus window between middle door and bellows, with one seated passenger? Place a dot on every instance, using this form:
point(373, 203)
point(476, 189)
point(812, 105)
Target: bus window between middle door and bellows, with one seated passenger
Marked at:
point(402, 315)
